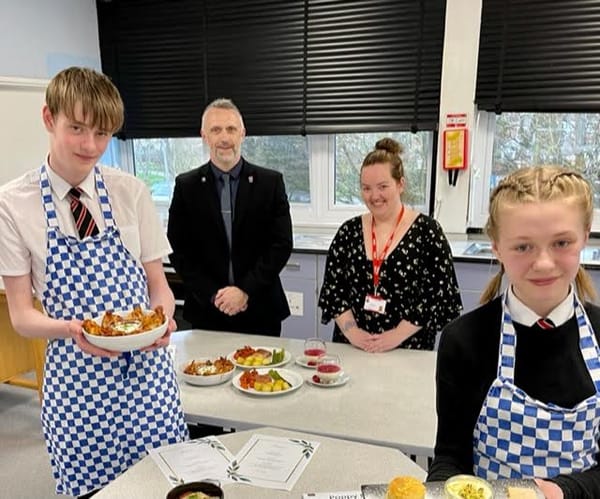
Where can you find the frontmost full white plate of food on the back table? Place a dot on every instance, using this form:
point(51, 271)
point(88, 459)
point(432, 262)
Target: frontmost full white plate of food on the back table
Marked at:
point(267, 382)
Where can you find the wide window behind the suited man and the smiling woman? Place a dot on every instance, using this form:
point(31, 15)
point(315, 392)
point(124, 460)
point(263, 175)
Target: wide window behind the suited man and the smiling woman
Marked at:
point(321, 172)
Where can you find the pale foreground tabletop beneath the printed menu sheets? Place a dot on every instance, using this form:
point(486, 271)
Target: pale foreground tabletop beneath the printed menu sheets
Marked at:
point(336, 466)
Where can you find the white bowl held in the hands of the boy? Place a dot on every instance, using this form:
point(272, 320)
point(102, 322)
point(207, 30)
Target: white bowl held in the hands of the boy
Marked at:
point(128, 337)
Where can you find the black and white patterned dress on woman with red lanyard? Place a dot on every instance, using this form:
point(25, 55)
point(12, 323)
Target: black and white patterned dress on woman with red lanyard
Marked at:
point(417, 279)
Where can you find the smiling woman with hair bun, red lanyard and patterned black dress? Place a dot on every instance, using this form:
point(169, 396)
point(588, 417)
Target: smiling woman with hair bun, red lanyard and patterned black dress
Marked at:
point(389, 279)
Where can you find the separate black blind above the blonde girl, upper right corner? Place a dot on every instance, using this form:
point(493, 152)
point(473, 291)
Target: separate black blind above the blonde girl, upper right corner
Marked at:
point(539, 55)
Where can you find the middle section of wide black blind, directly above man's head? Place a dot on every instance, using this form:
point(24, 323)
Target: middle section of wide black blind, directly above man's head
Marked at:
point(255, 56)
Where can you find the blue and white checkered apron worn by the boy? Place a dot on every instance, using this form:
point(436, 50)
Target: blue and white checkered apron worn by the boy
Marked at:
point(100, 415)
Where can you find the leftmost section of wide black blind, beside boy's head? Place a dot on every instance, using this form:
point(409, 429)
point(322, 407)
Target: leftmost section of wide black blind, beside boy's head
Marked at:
point(154, 52)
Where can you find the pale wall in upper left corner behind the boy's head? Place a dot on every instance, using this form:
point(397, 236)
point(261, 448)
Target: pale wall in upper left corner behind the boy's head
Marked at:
point(38, 38)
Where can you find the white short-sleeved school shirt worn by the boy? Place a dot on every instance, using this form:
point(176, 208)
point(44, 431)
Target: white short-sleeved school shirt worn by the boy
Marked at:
point(23, 223)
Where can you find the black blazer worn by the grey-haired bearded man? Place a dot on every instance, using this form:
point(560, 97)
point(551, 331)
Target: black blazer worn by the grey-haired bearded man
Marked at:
point(261, 246)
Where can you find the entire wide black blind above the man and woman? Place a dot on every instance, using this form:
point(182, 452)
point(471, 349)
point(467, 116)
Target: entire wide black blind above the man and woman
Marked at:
point(291, 66)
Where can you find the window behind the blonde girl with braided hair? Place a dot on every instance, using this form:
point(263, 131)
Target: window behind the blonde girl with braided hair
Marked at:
point(510, 141)
